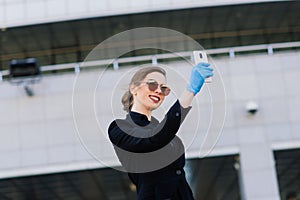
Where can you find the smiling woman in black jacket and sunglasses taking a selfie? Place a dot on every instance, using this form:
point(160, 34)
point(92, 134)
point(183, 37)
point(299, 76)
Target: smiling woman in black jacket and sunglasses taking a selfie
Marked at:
point(148, 149)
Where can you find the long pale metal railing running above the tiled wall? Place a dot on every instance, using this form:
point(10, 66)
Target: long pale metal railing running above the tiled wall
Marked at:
point(231, 51)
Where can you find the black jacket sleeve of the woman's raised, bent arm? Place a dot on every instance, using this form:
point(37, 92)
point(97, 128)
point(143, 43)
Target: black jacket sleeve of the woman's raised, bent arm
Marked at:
point(132, 138)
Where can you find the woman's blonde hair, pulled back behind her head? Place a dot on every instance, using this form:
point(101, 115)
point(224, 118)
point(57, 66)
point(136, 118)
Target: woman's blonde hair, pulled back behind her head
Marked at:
point(127, 98)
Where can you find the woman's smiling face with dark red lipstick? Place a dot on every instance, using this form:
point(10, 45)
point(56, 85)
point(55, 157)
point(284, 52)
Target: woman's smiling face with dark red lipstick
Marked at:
point(146, 99)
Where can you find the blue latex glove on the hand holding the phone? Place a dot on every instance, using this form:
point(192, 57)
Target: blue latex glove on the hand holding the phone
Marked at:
point(199, 73)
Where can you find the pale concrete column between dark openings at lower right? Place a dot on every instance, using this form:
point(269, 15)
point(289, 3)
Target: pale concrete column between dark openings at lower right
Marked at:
point(257, 166)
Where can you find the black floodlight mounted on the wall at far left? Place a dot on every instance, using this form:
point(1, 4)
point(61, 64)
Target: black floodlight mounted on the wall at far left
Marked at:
point(24, 72)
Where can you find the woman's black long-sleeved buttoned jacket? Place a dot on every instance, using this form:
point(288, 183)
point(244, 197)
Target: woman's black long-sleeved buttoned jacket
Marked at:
point(152, 153)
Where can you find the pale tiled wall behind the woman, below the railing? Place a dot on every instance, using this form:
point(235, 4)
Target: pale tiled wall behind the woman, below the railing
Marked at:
point(38, 135)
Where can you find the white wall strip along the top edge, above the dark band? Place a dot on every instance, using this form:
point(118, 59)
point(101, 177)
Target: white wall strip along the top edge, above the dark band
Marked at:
point(24, 12)
